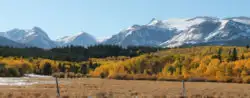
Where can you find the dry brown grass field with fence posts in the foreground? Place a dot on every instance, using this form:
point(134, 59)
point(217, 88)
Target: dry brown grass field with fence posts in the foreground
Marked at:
point(104, 88)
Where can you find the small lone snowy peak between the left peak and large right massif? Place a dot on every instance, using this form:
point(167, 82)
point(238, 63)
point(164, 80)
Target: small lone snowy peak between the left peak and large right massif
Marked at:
point(80, 39)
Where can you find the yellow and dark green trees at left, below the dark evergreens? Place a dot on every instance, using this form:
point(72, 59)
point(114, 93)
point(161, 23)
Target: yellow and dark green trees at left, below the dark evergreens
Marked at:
point(17, 67)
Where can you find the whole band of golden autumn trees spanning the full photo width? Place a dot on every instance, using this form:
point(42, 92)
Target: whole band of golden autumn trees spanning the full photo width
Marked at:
point(204, 63)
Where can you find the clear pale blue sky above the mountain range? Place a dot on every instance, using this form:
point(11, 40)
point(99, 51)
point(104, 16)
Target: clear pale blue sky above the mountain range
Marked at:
point(103, 18)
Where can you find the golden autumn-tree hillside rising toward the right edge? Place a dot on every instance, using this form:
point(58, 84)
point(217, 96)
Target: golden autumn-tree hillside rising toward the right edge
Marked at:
point(208, 63)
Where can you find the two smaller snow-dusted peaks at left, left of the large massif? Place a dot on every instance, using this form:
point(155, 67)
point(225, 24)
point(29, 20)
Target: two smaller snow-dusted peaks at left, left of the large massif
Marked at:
point(38, 38)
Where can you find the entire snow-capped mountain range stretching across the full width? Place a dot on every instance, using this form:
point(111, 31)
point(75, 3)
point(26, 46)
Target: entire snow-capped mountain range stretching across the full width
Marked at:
point(165, 33)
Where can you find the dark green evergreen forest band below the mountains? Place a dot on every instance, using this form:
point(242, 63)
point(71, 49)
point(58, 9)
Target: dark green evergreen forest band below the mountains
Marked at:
point(76, 53)
